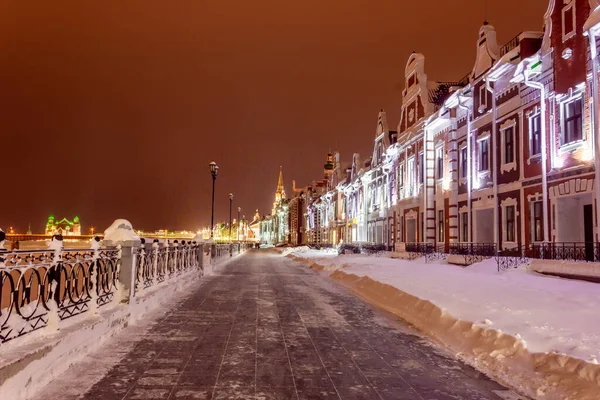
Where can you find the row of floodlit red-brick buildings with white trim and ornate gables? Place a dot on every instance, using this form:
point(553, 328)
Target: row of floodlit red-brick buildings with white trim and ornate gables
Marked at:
point(505, 156)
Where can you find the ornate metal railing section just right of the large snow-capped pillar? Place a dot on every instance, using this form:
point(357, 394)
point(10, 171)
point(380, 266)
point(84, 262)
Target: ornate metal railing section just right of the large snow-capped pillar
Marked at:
point(158, 262)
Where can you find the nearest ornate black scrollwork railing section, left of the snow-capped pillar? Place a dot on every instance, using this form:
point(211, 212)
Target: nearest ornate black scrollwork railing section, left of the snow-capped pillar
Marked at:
point(37, 286)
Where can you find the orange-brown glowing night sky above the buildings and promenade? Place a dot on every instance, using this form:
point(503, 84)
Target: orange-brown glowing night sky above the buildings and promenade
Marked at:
point(113, 109)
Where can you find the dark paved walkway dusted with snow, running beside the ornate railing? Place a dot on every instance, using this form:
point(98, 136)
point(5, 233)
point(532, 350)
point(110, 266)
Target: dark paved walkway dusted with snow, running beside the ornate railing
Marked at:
point(267, 327)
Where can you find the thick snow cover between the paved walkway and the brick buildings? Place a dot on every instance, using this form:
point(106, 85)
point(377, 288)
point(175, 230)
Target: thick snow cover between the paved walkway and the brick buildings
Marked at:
point(539, 334)
